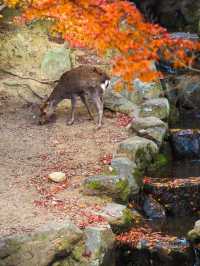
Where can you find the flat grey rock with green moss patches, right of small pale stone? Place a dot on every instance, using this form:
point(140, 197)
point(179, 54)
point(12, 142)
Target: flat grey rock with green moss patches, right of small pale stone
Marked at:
point(116, 187)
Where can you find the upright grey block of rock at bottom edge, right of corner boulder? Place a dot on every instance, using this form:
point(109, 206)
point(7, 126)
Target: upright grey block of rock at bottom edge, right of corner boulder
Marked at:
point(99, 244)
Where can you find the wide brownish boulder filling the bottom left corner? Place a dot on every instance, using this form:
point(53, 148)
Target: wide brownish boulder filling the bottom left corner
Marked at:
point(43, 247)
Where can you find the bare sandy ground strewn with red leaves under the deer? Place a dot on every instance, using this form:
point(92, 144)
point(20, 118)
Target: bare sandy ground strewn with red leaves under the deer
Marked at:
point(29, 152)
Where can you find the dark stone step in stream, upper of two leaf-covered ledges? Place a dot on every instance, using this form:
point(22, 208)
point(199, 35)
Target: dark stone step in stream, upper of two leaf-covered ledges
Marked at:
point(179, 196)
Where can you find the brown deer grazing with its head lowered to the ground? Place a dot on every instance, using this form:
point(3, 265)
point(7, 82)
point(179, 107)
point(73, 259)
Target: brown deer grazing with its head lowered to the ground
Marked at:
point(84, 82)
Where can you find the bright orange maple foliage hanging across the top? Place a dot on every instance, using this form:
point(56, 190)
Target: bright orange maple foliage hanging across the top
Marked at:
point(116, 28)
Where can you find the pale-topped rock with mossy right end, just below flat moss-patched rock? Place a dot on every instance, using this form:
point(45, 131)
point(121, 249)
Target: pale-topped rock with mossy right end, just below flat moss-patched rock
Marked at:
point(119, 216)
